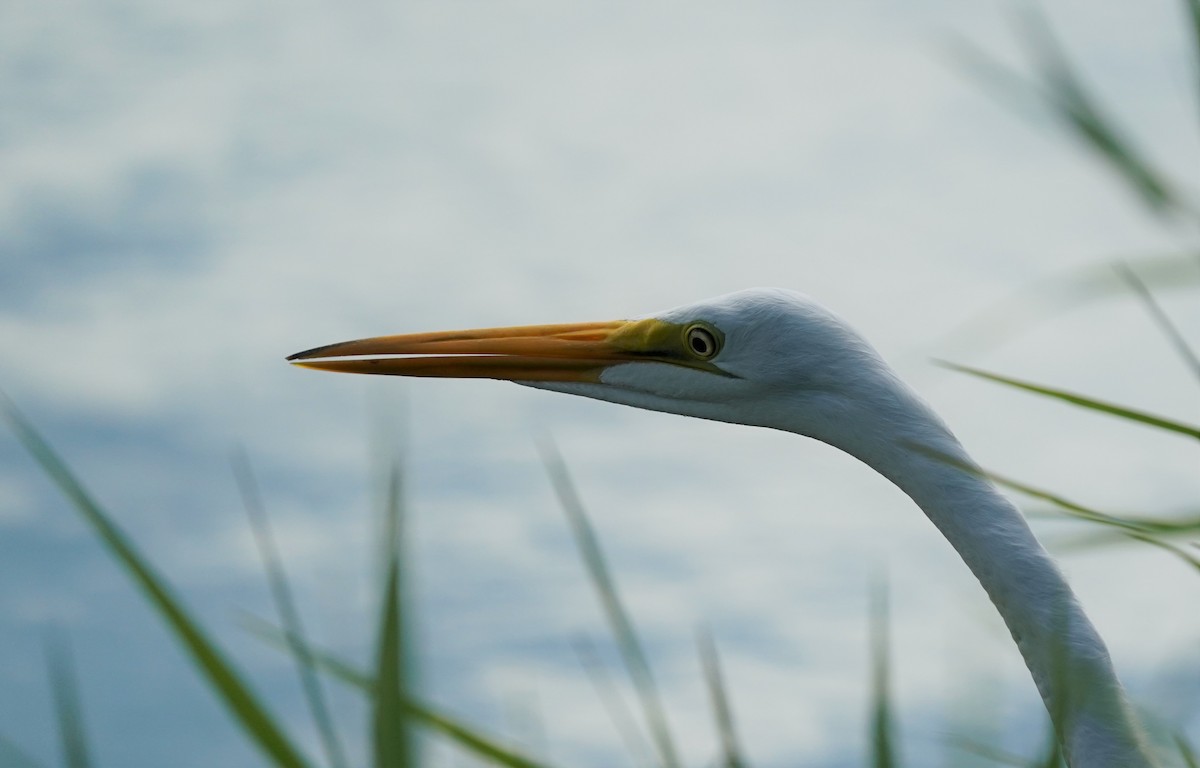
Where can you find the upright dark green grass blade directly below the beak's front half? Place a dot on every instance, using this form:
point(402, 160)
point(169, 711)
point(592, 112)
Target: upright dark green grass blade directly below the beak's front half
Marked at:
point(392, 736)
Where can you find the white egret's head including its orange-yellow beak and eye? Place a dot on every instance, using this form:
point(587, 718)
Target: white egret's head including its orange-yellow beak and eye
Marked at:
point(764, 357)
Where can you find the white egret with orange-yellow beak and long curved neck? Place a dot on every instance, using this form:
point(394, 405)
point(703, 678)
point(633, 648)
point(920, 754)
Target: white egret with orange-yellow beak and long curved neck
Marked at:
point(777, 359)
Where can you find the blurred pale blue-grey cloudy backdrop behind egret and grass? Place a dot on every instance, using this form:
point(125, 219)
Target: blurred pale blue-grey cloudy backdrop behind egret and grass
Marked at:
point(189, 193)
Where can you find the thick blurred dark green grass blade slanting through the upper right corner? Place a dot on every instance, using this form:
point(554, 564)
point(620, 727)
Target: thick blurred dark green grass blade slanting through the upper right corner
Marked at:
point(1072, 104)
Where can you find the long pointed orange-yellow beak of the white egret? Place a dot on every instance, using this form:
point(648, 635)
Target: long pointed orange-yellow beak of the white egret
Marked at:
point(575, 352)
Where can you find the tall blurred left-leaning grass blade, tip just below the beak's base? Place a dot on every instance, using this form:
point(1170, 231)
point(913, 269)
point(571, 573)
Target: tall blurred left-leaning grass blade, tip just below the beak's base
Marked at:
point(619, 620)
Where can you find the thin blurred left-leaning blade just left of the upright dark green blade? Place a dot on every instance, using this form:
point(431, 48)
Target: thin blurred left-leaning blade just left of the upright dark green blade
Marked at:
point(285, 605)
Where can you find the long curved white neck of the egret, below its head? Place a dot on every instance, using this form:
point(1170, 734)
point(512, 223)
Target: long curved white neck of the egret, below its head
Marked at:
point(1064, 652)
